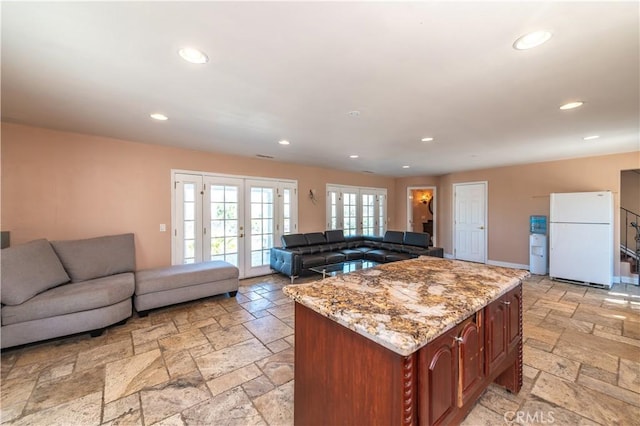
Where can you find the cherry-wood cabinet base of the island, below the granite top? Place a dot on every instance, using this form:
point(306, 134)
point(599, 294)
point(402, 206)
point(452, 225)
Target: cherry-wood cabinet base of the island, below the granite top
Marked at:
point(344, 378)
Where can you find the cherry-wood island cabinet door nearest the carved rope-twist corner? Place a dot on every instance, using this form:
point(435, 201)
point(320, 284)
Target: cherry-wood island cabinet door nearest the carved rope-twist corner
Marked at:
point(438, 388)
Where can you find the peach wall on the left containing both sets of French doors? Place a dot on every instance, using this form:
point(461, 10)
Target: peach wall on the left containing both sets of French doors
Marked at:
point(61, 185)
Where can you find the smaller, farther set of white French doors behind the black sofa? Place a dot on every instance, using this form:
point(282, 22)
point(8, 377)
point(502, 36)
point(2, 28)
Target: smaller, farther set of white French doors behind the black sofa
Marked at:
point(357, 211)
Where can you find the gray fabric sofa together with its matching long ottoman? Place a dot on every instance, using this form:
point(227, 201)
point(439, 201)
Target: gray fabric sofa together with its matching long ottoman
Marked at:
point(53, 289)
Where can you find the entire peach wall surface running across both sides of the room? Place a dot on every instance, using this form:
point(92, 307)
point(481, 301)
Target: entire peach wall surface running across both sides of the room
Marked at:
point(61, 185)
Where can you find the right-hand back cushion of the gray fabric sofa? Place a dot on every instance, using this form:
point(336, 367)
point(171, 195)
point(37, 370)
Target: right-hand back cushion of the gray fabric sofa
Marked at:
point(97, 257)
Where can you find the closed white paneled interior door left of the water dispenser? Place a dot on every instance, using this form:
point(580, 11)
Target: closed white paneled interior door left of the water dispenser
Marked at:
point(470, 230)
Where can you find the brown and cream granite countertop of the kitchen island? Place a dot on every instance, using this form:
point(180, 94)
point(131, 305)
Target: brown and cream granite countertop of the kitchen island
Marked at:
point(404, 305)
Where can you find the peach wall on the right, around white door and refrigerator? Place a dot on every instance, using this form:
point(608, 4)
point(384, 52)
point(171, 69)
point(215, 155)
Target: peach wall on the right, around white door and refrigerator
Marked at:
point(517, 192)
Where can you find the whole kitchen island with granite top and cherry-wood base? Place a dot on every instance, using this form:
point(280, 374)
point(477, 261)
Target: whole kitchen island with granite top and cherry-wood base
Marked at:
point(405, 343)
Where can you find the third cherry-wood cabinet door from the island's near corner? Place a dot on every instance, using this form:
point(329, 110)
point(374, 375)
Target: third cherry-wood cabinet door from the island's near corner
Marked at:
point(496, 334)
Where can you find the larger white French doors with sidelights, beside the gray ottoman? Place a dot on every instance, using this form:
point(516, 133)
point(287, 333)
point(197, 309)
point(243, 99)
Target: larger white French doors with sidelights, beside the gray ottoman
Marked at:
point(234, 219)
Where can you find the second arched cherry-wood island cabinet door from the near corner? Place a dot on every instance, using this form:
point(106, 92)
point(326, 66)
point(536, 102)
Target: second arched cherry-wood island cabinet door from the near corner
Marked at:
point(470, 360)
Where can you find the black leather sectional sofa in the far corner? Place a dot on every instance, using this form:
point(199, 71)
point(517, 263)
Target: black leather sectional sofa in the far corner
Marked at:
point(299, 252)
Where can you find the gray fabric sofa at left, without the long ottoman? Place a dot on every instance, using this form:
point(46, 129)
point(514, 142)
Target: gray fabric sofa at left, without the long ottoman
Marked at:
point(52, 289)
